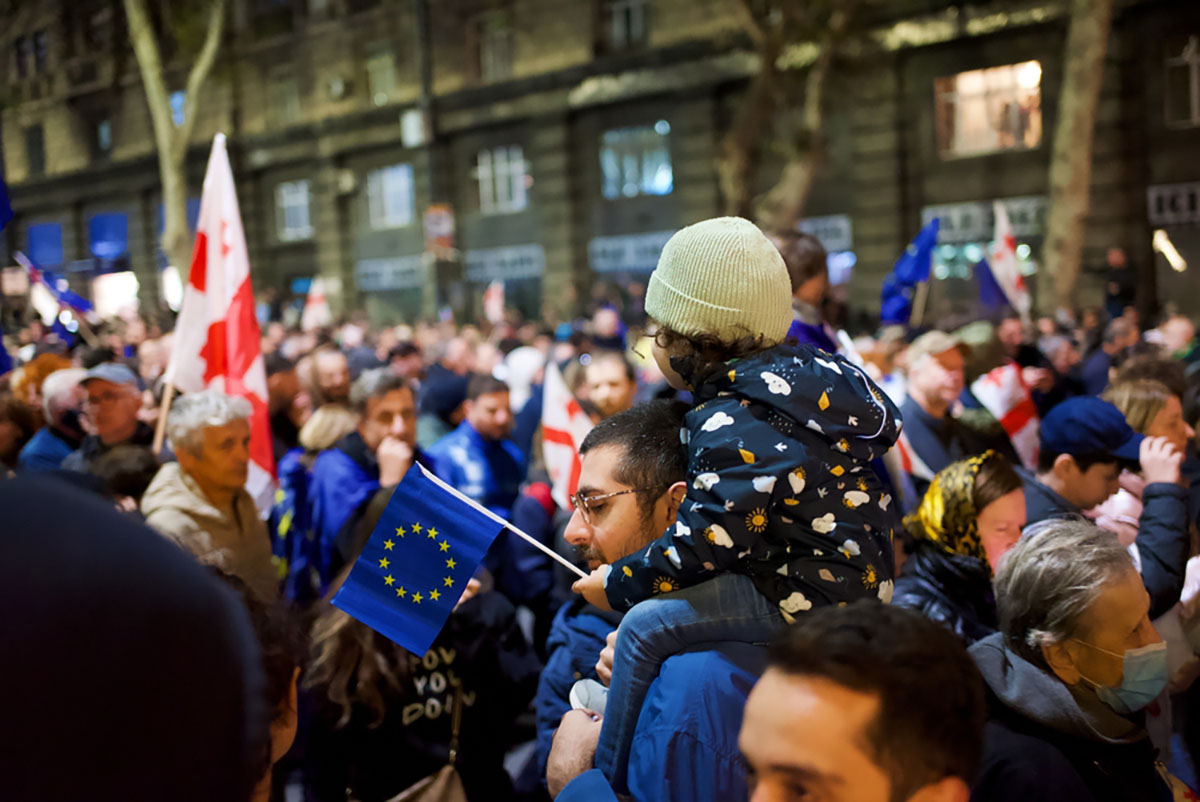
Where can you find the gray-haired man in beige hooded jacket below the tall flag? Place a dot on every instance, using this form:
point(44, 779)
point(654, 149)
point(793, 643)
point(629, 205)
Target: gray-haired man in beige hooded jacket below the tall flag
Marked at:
point(201, 502)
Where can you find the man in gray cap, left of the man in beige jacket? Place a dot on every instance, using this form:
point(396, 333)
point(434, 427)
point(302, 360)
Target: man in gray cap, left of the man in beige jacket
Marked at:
point(112, 399)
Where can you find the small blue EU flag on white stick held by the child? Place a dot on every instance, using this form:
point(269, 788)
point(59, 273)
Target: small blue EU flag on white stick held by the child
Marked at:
point(417, 562)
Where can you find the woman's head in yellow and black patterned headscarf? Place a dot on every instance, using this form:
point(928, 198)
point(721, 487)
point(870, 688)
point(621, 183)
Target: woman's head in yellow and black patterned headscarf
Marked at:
point(975, 508)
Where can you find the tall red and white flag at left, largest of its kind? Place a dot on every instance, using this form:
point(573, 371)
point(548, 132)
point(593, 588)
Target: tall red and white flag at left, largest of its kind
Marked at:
point(218, 342)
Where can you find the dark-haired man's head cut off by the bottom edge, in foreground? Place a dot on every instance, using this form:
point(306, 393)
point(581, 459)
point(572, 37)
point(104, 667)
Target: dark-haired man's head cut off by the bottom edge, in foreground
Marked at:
point(866, 703)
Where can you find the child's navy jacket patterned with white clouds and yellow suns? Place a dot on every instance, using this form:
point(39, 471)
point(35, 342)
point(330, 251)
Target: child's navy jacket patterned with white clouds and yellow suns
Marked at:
point(779, 486)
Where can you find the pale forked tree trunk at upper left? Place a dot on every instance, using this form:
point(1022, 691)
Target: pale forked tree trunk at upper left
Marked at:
point(171, 142)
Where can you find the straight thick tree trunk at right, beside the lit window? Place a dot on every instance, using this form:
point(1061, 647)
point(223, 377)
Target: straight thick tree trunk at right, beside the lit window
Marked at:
point(1071, 165)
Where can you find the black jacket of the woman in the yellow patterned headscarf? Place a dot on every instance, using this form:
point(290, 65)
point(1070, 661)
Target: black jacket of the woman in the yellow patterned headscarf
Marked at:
point(952, 590)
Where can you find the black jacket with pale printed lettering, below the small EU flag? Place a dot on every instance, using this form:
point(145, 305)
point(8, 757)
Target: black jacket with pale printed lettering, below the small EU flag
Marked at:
point(482, 645)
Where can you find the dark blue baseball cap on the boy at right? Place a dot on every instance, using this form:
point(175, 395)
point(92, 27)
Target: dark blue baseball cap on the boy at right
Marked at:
point(1089, 427)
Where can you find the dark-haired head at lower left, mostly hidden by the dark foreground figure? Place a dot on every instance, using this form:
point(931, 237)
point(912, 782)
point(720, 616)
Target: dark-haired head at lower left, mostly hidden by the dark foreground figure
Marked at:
point(283, 654)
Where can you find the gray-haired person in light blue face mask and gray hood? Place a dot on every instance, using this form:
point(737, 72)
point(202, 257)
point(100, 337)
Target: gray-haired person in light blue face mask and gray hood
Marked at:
point(1069, 674)
